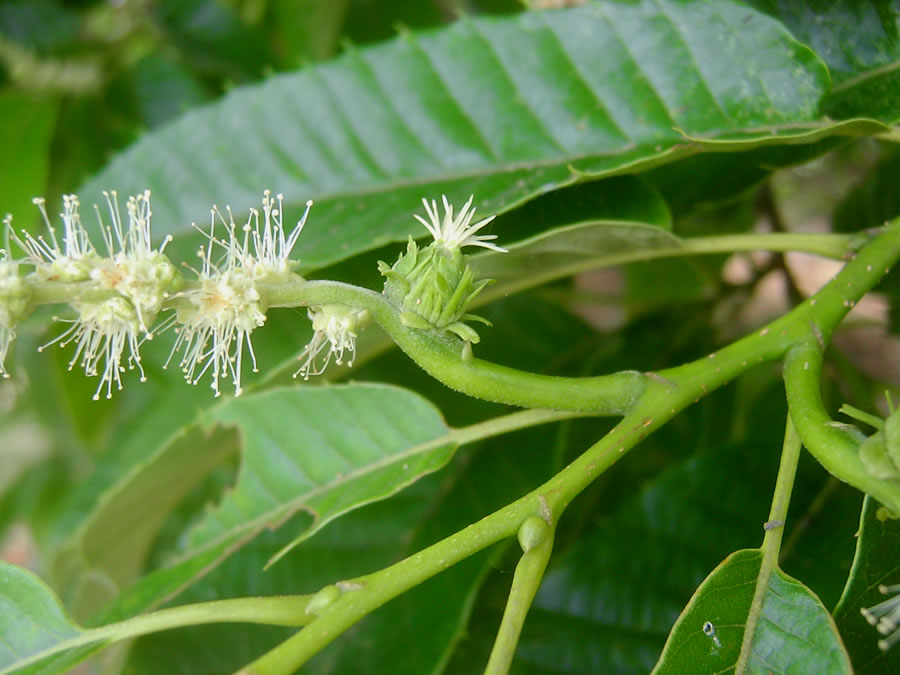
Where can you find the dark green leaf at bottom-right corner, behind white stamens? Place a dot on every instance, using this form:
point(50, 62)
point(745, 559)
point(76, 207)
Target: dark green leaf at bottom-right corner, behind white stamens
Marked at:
point(877, 562)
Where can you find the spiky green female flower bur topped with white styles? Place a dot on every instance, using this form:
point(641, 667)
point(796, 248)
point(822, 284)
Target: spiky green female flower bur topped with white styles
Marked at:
point(433, 286)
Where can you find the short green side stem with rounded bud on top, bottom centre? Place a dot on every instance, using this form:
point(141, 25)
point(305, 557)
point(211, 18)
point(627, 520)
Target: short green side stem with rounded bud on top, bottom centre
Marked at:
point(526, 581)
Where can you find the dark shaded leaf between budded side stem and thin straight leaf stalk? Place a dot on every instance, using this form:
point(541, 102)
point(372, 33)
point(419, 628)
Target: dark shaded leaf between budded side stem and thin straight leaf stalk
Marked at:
point(607, 603)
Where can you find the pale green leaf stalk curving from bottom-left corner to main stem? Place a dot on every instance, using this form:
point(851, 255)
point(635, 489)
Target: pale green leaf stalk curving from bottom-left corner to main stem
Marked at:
point(273, 611)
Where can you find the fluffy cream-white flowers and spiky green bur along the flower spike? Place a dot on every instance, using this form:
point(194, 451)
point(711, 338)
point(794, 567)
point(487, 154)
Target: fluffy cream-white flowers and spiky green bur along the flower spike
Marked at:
point(119, 292)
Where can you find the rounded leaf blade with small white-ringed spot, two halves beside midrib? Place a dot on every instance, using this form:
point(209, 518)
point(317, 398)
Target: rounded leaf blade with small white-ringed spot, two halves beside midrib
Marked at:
point(794, 632)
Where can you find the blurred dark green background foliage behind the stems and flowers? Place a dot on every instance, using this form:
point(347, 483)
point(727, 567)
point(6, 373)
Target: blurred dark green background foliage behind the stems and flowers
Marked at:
point(82, 80)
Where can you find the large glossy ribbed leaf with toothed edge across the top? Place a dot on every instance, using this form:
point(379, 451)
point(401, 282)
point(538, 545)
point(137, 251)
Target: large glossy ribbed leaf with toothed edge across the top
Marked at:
point(503, 107)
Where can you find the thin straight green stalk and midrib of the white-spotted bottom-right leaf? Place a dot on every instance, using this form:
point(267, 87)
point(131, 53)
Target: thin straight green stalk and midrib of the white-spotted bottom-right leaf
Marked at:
point(781, 499)
